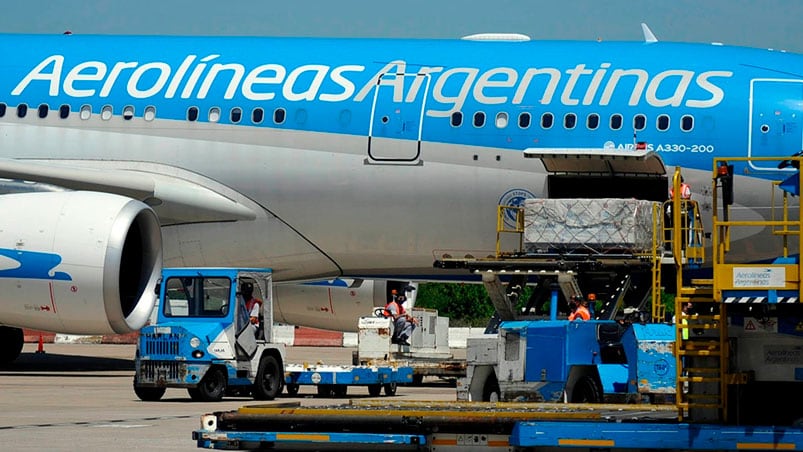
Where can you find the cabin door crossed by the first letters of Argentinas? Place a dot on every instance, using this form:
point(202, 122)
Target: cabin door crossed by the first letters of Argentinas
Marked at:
point(397, 118)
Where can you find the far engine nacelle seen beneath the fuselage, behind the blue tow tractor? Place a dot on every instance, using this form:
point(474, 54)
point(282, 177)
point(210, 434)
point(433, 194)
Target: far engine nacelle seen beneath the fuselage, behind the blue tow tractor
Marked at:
point(336, 304)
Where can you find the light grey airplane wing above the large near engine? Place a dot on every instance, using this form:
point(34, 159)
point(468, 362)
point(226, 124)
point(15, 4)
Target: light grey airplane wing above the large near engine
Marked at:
point(175, 200)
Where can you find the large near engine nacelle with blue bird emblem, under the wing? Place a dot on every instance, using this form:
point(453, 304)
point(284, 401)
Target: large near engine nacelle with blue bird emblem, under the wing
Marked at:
point(78, 262)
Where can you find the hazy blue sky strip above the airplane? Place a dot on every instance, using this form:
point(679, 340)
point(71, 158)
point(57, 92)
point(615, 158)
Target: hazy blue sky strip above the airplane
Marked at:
point(757, 23)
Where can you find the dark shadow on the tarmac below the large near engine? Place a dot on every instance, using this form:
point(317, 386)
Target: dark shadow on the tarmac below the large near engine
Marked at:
point(52, 362)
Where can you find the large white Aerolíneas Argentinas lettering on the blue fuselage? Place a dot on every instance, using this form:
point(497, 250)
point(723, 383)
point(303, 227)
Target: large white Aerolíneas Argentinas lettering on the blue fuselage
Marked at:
point(199, 78)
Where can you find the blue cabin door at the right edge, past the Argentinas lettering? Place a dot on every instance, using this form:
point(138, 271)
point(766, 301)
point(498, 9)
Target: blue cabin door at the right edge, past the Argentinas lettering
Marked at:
point(776, 120)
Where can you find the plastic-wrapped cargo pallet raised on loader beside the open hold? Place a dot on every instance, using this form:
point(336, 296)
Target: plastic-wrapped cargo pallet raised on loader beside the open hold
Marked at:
point(595, 225)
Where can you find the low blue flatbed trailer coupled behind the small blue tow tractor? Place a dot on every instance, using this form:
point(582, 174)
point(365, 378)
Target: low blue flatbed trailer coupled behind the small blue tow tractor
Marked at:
point(334, 380)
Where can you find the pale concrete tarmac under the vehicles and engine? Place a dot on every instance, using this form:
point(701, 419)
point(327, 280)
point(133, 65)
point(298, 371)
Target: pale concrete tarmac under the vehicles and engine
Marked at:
point(80, 396)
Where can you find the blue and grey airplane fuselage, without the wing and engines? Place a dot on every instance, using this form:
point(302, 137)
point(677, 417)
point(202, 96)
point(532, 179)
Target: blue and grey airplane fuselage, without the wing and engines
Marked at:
point(374, 157)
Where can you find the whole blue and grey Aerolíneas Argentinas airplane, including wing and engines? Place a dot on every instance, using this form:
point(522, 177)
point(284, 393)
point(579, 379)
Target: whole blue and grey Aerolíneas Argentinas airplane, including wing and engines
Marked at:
point(341, 158)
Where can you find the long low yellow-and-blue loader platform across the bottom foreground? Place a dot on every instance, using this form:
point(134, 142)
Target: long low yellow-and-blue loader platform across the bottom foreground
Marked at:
point(439, 426)
